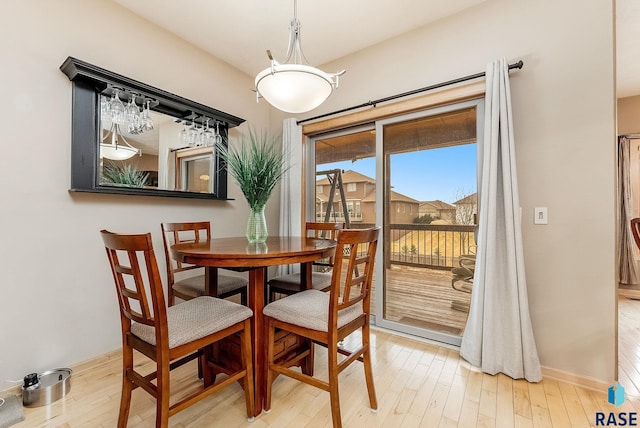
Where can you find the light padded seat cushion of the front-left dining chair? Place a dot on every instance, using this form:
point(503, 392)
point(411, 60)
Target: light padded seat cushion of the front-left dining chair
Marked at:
point(195, 319)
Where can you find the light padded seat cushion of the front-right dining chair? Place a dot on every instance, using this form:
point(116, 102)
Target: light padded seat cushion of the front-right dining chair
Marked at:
point(310, 309)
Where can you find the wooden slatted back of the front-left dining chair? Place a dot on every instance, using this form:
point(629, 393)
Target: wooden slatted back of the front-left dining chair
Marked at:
point(125, 253)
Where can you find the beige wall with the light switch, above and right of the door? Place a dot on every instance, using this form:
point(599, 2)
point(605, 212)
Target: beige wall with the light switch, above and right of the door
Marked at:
point(563, 105)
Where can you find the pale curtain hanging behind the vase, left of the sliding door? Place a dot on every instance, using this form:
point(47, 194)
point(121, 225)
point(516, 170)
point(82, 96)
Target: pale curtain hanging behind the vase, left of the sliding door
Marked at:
point(291, 184)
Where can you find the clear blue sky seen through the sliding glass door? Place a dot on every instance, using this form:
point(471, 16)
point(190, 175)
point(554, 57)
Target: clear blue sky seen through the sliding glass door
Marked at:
point(447, 174)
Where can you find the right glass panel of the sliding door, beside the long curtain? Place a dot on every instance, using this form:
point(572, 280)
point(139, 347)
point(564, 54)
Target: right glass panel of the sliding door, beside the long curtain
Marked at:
point(428, 165)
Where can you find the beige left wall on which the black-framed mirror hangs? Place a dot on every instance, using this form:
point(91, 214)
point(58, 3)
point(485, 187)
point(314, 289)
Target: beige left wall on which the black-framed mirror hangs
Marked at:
point(57, 299)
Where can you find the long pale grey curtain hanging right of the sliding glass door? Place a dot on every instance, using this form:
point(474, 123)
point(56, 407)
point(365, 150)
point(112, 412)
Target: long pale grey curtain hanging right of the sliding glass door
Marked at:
point(498, 337)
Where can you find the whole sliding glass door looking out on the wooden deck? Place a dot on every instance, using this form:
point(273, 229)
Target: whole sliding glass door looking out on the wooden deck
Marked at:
point(415, 176)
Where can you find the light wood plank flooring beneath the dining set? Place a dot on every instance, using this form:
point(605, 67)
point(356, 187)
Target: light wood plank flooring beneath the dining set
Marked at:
point(418, 384)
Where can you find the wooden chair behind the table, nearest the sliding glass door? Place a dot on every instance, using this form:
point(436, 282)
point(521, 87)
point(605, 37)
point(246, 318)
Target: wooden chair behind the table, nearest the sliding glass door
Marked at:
point(320, 277)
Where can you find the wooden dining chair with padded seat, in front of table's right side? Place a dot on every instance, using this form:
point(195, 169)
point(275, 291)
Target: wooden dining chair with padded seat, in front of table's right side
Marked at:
point(327, 318)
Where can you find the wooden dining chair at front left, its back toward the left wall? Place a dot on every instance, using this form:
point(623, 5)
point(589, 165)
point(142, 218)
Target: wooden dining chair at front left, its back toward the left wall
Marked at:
point(170, 336)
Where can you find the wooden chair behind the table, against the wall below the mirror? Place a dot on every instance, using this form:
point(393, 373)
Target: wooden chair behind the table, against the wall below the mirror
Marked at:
point(194, 286)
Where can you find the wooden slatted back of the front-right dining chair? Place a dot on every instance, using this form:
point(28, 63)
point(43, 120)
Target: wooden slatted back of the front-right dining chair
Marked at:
point(351, 284)
